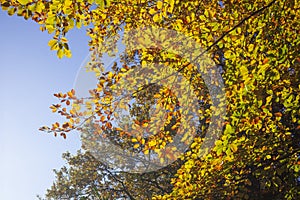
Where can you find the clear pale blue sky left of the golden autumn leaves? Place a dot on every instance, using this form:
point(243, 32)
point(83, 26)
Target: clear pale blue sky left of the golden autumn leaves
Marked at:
point(29, 75)
